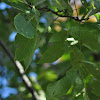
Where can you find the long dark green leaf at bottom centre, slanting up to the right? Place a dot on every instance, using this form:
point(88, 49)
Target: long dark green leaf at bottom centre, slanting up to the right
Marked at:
point(62, 86)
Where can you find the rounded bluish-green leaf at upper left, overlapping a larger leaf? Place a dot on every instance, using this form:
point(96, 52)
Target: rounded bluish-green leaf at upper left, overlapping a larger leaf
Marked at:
point(24, 26)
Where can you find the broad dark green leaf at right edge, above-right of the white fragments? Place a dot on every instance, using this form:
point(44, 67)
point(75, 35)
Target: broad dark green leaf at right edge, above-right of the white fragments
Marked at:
point(87, 34)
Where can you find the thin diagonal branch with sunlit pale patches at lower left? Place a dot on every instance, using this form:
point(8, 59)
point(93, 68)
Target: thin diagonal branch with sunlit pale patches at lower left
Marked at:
point(20, 69)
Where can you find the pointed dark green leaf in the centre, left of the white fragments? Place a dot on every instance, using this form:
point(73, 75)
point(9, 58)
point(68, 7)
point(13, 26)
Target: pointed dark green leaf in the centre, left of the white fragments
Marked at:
point(54, 52)
